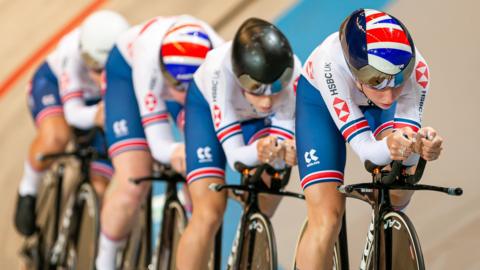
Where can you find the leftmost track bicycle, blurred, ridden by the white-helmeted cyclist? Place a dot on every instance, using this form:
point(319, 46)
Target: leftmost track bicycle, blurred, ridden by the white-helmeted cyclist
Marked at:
point(67, 240)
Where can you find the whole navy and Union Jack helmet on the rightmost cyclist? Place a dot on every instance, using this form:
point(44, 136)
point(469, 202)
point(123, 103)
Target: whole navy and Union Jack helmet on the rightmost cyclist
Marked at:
point(377, 48)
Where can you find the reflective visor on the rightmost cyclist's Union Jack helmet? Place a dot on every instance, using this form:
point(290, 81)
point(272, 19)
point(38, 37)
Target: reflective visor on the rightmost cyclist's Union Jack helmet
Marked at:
point(378, 80)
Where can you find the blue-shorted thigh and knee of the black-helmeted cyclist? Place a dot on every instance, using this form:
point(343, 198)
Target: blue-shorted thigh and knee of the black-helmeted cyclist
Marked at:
point(205, 156)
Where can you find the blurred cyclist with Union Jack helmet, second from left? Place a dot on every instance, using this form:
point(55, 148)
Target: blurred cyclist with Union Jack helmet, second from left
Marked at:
point(147, 74)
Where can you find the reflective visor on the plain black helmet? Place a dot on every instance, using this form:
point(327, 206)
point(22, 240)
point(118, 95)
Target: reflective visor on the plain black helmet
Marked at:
point(257, 88)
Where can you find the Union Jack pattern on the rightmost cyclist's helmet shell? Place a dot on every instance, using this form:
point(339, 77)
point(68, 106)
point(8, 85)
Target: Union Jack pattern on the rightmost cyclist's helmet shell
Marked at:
point(388, 45)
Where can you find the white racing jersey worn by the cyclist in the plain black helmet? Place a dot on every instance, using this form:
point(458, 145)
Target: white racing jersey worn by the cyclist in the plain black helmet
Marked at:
point(229, 108)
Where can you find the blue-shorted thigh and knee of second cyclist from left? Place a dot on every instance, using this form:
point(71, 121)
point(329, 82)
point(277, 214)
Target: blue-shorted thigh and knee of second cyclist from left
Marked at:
point(127, 144)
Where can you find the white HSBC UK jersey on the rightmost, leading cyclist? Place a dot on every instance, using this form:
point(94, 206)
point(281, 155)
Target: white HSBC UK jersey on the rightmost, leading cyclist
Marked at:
point(327, 71)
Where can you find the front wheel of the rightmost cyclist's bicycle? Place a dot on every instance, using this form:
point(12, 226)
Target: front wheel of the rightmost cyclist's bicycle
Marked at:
point(399, 244)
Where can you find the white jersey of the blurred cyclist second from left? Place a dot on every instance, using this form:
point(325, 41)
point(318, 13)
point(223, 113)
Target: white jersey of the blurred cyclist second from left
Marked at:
point(140, 46)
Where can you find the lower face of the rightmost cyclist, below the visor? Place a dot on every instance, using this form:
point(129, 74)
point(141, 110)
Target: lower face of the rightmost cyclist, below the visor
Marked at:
point(382, 98)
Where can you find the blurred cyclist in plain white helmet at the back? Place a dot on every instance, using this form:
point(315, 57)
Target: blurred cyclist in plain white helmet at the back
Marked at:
point(65, 91)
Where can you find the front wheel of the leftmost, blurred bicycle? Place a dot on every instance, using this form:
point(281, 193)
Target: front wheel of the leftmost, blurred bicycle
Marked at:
point(81, 246)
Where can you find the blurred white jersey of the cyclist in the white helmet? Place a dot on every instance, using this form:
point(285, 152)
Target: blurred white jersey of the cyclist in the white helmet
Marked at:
point(78, 91)
